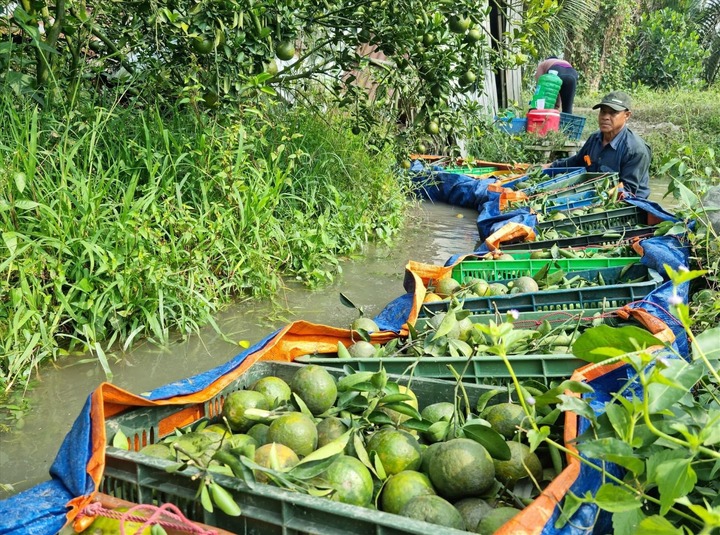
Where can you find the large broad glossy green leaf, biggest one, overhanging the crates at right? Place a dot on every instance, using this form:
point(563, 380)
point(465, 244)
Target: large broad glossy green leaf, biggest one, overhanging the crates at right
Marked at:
point(599, 343)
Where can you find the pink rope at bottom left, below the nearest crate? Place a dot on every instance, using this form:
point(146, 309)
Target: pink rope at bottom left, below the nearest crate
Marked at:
point(167, 516)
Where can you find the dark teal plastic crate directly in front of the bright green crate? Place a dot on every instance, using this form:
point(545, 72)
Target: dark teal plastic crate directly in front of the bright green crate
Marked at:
point(618, 291)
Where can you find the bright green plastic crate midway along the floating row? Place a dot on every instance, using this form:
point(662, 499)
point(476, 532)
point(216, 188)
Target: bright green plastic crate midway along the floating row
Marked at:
point(496, 270)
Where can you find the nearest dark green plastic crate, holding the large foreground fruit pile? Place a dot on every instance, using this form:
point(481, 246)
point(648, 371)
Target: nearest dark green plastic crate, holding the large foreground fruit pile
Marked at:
point(266, 510)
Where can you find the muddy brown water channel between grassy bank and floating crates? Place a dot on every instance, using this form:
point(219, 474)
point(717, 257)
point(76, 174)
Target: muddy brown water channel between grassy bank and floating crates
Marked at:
point(433, 234)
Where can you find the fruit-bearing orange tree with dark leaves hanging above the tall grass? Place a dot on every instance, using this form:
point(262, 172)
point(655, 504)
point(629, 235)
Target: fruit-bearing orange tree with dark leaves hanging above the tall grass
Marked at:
point(214, 53)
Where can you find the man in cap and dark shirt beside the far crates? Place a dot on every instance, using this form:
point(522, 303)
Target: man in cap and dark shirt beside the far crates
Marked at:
point(614, 148)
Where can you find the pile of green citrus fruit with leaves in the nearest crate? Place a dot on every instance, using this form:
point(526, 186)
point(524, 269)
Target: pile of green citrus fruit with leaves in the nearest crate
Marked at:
point(366, 440)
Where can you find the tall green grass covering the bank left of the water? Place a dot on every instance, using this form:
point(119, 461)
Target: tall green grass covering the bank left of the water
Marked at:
point(129, 222)
